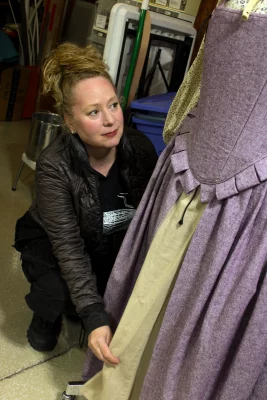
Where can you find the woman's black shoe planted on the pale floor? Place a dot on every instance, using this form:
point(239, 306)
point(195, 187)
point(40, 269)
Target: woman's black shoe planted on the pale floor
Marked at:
point(43, 335)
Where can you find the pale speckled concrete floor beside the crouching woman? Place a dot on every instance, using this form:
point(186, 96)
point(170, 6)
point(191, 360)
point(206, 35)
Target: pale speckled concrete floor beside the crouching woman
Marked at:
point(25, 374)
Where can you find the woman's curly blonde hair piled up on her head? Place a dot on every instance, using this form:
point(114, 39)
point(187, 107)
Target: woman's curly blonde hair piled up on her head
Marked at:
point(66, 66)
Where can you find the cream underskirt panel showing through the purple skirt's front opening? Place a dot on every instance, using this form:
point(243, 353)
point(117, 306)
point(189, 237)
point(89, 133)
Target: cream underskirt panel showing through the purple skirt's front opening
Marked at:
point(138, 329)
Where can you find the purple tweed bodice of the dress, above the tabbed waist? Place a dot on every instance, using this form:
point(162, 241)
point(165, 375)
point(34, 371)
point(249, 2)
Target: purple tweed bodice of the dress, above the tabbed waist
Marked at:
point(229, 133)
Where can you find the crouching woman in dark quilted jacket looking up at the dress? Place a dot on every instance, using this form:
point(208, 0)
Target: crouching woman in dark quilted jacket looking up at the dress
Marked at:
point(88, 185)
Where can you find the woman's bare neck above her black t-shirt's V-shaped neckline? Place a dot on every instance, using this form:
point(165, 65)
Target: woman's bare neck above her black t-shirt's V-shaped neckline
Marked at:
point(101, 160)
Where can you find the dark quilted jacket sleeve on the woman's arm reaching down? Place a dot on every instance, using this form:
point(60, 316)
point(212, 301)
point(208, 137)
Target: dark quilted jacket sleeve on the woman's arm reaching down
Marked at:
point(55, 205)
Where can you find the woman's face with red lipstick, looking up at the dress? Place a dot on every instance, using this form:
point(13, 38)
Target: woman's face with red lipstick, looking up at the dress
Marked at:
point(97, 115)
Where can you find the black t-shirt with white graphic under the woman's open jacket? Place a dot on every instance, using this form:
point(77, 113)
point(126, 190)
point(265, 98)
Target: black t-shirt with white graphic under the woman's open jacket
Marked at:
point(117, 215)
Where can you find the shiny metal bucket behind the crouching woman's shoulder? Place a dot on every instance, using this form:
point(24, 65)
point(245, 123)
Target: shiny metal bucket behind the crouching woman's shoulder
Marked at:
point(45, 127)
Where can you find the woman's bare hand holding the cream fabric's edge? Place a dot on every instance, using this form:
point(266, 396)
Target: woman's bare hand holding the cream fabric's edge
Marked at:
point(98, 341)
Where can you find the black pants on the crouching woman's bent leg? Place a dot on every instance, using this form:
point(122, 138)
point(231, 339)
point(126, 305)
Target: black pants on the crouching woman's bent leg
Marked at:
point(49, 296)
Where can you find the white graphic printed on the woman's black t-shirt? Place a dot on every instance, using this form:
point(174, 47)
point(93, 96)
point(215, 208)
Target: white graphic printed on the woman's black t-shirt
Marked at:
point(117, 220)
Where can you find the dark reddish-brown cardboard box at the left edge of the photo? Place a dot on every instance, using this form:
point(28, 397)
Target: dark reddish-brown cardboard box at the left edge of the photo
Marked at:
point(13, 89)
